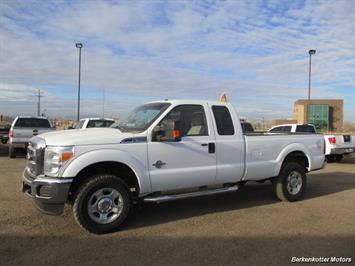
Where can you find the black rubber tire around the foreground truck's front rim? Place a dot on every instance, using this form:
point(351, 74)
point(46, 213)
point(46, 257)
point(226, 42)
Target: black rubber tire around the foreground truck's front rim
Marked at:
point(85, 193)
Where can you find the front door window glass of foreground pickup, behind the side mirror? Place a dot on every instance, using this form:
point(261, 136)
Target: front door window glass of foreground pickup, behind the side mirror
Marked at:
point(189, 119)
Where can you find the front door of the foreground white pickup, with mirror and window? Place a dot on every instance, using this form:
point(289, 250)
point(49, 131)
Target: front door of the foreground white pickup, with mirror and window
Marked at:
point(185, 161)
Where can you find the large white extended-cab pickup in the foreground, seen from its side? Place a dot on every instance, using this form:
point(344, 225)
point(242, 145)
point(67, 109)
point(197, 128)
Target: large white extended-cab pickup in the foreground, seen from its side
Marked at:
point(162, 151)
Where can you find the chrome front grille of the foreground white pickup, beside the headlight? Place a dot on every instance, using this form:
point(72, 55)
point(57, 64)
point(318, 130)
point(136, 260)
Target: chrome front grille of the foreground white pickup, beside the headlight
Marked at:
point(35, 156)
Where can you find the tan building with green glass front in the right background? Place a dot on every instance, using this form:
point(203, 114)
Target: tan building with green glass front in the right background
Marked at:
point(326, 115)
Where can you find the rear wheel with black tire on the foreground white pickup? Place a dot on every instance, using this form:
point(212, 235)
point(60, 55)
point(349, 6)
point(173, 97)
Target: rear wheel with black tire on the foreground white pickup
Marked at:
point(282, 186)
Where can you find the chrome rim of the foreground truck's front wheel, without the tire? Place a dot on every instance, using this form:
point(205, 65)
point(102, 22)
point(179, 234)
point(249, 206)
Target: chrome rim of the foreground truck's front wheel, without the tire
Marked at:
point(105, 205)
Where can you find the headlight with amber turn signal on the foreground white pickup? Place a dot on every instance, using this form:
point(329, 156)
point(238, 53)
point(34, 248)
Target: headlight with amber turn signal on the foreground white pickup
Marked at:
point(55, 157)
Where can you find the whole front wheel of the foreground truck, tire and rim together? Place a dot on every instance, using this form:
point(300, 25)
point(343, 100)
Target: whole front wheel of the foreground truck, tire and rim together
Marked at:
point(102, 204)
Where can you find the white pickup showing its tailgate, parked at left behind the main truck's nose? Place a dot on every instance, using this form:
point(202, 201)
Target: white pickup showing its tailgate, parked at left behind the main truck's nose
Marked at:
point(25, 127)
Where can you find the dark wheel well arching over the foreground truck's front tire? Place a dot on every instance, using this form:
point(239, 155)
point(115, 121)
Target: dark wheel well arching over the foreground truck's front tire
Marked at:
point(115, 168)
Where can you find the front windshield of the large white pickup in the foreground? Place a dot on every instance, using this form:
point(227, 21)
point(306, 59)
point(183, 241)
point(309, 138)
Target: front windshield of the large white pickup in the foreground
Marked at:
point(141, 117)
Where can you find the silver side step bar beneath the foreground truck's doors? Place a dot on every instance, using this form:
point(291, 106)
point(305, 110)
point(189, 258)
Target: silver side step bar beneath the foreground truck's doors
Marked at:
point(164, 198)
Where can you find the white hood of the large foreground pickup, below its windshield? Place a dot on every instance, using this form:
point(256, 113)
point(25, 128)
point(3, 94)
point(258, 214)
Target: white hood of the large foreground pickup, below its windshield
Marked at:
point(89, 136)
